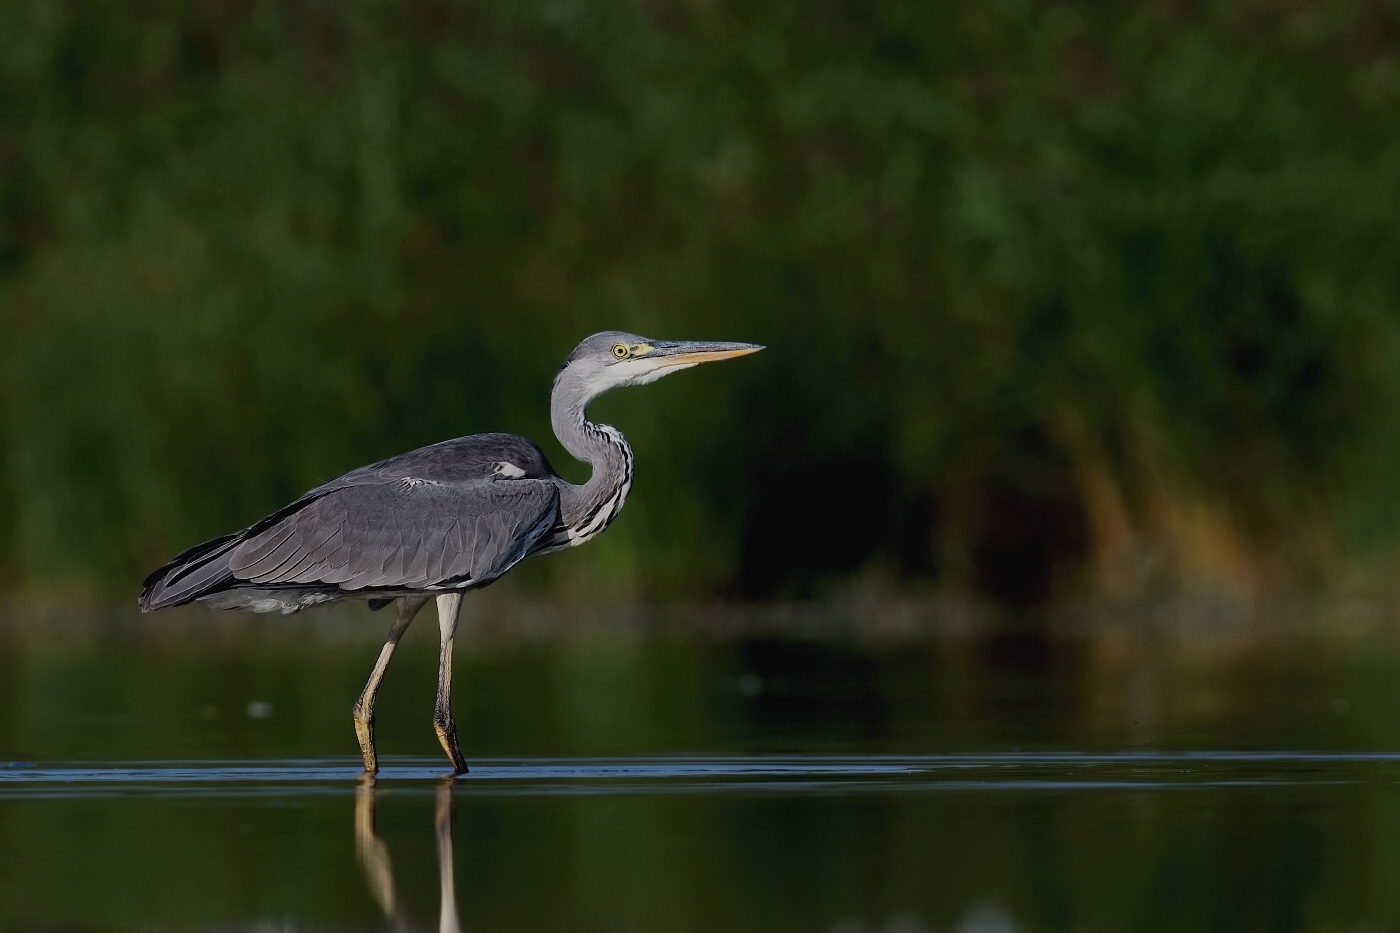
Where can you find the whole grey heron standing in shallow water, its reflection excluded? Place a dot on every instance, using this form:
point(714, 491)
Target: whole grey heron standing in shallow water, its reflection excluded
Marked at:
point(436, 522)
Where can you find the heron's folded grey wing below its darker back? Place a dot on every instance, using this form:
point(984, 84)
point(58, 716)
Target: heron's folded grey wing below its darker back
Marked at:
point(405, 533)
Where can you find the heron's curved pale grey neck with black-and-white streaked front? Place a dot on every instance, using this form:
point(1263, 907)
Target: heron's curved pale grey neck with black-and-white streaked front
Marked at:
point(589, 509)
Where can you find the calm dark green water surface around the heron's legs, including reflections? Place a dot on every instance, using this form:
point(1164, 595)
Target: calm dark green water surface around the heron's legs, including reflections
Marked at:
point(201, 773)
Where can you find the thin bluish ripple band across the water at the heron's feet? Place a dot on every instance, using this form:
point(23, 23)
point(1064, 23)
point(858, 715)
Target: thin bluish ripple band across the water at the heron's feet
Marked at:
point(709, 774)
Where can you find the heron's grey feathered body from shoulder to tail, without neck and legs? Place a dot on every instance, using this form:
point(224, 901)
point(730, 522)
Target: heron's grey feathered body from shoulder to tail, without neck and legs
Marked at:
point(351, 530)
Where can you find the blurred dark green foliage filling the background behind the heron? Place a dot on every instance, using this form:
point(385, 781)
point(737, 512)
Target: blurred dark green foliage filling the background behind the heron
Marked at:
point(1059, 296)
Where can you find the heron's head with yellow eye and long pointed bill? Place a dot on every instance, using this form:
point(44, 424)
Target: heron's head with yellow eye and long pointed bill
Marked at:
point(614, 359)
